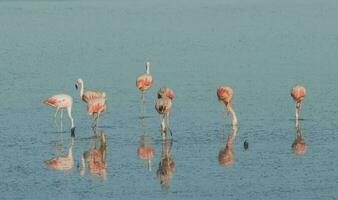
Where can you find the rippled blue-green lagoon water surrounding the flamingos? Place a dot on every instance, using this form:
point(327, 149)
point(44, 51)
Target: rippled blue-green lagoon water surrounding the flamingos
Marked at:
point(260, 48)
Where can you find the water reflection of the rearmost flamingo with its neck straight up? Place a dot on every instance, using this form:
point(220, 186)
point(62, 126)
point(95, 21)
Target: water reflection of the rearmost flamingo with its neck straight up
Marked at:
point(145, 151)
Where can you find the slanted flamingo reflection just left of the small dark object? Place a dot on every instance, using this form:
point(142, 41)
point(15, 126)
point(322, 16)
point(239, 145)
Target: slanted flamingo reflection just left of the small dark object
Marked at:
point(226, 155)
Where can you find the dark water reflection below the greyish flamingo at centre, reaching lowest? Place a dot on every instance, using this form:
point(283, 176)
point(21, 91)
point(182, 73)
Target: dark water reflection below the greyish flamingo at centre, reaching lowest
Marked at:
point(166, 166)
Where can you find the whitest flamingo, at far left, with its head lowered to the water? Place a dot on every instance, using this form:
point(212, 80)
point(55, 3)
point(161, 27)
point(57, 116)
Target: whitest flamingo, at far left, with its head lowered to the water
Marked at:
point(62, 101)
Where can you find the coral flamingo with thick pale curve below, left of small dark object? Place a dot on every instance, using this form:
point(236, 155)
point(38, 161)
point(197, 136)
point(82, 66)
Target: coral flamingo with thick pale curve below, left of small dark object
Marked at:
point(225, 94)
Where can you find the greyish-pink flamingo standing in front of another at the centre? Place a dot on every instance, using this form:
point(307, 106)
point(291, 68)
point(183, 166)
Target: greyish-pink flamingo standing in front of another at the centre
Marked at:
point(163, 107)
